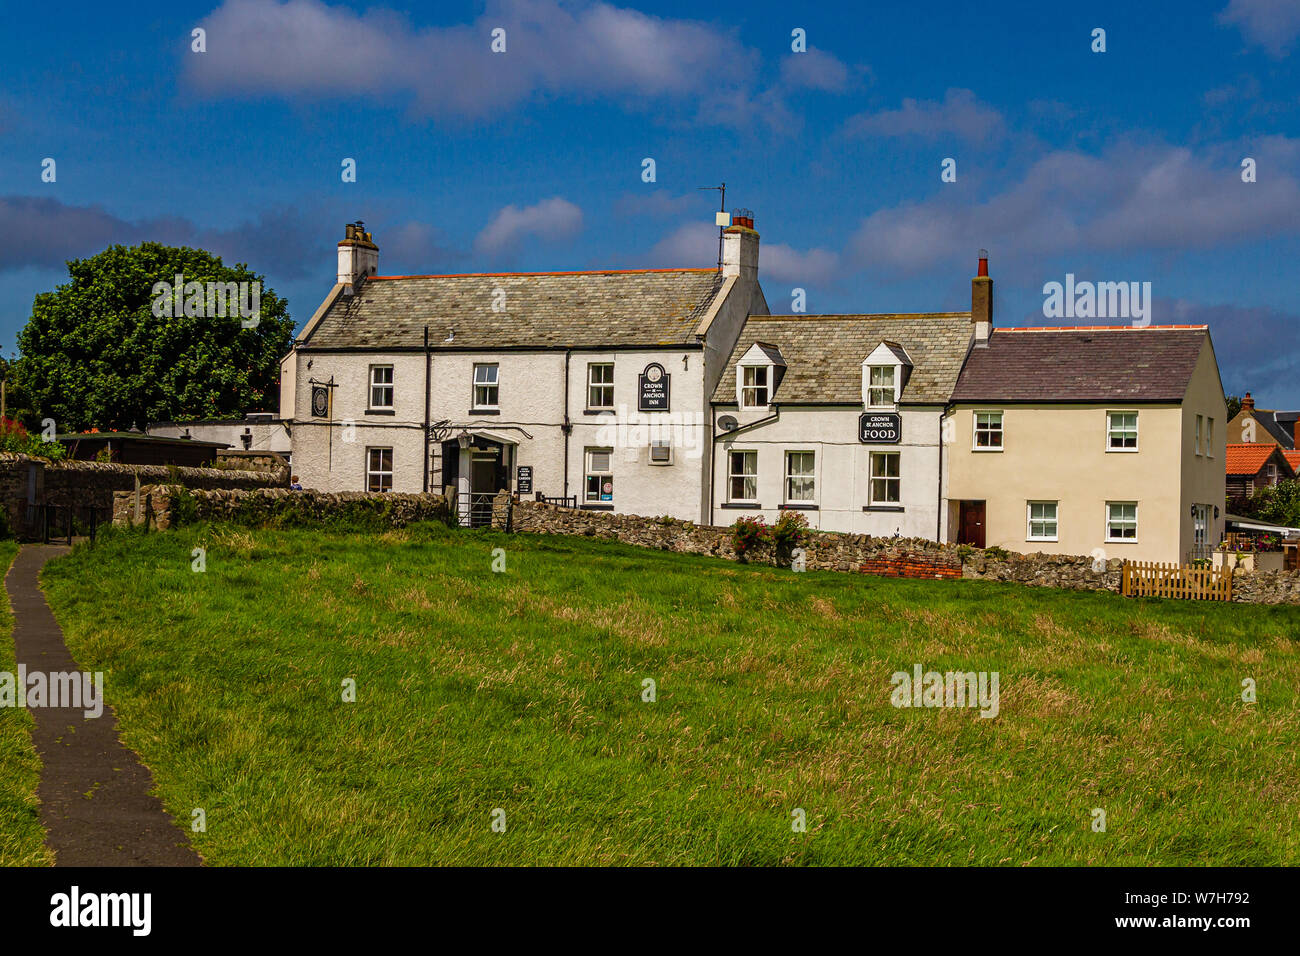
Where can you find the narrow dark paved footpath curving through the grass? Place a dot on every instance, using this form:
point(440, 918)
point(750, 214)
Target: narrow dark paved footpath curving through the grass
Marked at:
point(96, 801)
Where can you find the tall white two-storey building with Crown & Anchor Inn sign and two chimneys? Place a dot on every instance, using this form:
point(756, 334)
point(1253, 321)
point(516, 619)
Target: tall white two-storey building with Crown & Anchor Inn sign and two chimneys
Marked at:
point(588, 387)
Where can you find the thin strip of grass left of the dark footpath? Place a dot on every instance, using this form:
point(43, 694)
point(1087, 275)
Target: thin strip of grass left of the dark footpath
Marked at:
point(21, 834)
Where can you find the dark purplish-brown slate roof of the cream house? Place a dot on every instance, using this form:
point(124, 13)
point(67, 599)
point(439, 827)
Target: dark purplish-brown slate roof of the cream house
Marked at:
point(1103, 364)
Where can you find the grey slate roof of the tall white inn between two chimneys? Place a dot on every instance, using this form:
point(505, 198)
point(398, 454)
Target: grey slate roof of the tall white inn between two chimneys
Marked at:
point(543, 310)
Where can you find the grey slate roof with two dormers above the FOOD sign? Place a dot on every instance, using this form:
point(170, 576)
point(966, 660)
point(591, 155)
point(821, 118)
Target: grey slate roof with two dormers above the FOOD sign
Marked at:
point(825, 353)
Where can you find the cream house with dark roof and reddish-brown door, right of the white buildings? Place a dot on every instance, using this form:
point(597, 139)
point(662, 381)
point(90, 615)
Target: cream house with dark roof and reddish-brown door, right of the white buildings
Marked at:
point(1089, 440)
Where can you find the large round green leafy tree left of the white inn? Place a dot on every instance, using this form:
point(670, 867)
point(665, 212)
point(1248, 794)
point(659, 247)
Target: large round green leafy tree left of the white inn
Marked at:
point(96, 353)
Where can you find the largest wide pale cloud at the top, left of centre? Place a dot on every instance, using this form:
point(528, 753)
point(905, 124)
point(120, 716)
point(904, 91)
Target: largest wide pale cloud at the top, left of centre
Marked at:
point(306, 47)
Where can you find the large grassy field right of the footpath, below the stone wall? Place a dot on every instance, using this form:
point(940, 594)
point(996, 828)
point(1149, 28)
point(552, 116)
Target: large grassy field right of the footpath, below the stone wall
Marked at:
point(523, 693)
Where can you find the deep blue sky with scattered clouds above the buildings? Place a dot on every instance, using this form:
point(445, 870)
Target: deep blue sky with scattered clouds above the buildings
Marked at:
point(1123, 166)
